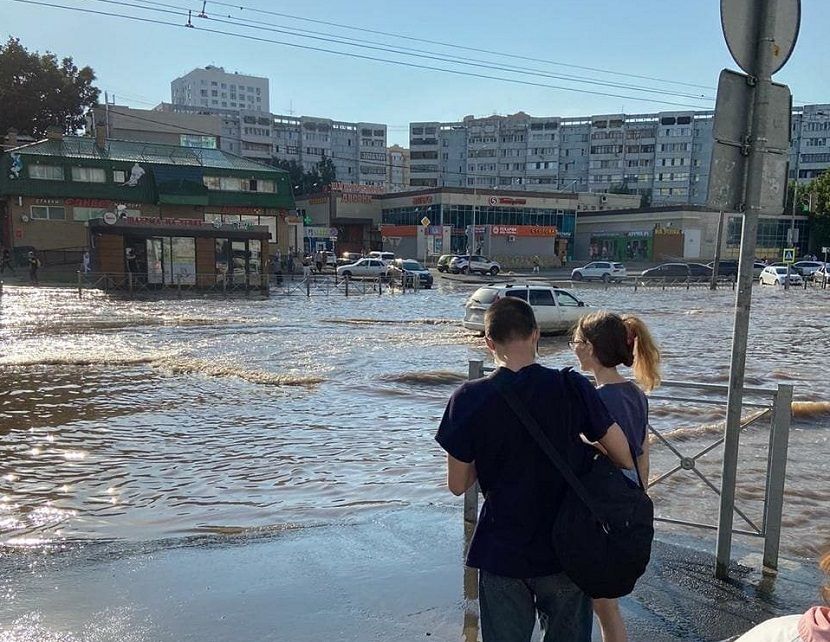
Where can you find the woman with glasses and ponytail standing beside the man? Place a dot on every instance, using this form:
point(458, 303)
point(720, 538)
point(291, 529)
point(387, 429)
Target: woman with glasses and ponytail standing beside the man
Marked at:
point(602, 341)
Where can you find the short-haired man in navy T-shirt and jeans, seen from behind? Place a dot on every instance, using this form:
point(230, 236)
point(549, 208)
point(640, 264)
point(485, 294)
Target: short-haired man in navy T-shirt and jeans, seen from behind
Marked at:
point(519, 571)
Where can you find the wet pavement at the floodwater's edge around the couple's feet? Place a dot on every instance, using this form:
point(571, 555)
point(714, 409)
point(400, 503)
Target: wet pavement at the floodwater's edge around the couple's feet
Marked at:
point(399, 578)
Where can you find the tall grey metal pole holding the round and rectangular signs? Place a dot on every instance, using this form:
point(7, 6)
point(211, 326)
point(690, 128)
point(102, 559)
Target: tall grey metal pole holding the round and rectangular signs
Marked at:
point(743, 299)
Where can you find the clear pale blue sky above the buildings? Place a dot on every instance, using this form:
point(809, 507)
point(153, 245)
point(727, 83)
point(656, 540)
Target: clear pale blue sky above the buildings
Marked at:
point(666, 39)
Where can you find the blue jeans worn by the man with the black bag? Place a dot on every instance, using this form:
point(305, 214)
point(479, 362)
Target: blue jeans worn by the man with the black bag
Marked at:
point(509, 607)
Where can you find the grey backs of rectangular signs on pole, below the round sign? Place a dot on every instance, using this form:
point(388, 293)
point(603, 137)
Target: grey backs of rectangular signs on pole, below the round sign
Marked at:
point(729, 158)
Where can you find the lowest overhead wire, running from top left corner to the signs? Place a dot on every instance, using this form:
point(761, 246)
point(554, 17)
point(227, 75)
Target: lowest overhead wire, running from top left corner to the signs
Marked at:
point(413, 65)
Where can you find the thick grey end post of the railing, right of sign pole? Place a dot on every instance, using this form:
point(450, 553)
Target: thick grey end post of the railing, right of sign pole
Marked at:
point(776, 473)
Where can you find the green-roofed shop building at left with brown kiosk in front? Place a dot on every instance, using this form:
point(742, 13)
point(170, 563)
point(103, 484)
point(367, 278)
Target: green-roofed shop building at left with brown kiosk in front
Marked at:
point(164, 213)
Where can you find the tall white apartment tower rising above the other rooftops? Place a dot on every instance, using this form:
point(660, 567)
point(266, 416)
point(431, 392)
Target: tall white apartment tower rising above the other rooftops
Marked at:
point(213, 87)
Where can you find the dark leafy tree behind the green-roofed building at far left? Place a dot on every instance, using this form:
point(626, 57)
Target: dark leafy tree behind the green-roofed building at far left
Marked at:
point(38, 91)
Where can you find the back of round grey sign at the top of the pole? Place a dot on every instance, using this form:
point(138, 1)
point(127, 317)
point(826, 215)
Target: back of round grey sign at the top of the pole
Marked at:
point(739, 21)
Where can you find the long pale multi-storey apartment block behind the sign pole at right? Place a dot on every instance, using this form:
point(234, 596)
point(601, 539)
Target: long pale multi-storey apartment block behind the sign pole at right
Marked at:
point(662, 156)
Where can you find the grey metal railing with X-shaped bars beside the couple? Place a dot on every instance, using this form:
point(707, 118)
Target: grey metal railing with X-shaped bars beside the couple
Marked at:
point(767, 403)
